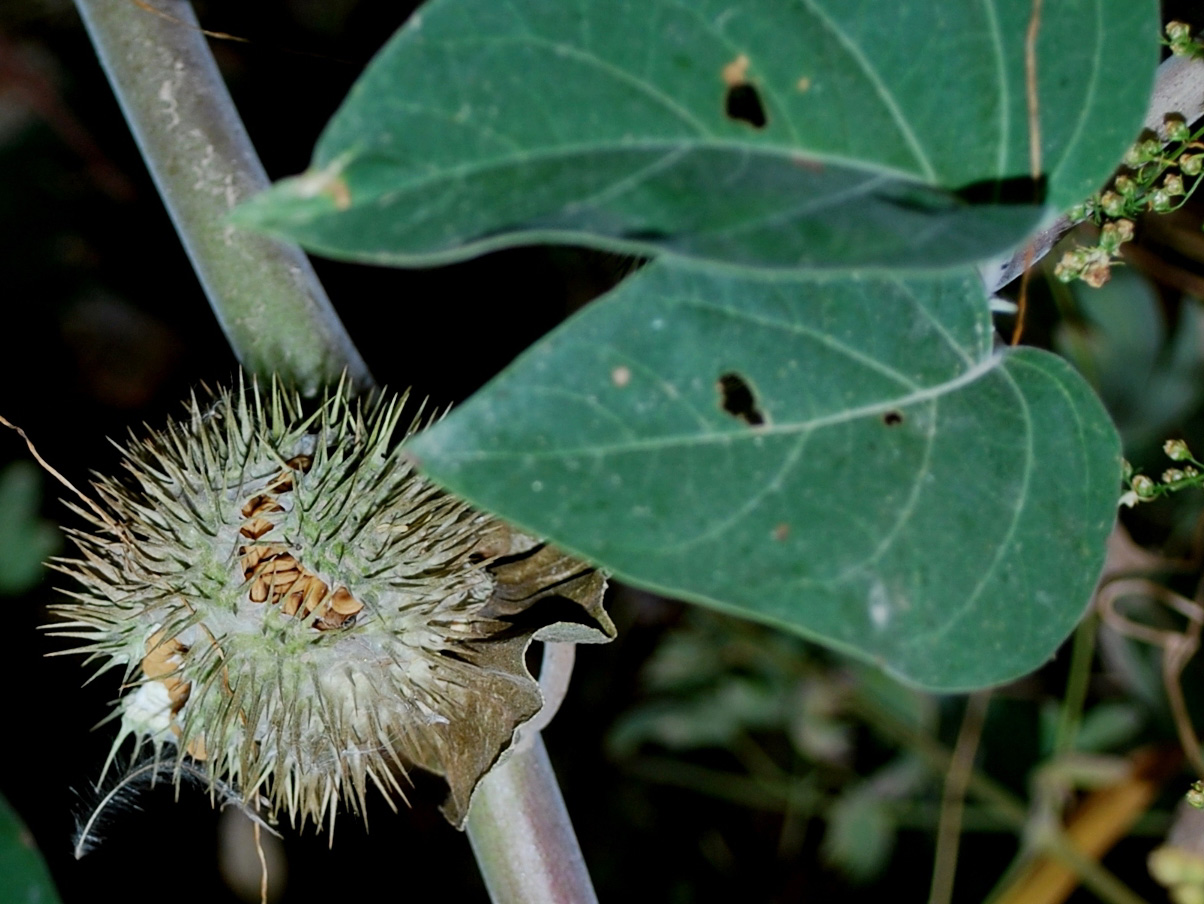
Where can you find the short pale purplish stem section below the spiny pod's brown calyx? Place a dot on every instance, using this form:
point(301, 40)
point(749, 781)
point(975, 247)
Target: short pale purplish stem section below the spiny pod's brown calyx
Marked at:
point(520, 828)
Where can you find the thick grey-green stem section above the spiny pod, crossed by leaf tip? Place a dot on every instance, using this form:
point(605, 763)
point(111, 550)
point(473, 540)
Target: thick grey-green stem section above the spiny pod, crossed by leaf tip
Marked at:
point(265, 294)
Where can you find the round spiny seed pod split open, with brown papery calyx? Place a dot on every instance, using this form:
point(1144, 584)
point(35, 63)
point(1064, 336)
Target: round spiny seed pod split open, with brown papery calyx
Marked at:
point(303, 616)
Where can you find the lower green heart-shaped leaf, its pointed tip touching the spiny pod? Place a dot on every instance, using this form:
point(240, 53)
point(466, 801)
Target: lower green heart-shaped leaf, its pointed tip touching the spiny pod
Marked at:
point(848, 459)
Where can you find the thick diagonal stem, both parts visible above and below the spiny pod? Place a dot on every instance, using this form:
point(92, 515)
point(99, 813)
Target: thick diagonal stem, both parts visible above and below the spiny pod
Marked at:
point(279, 321)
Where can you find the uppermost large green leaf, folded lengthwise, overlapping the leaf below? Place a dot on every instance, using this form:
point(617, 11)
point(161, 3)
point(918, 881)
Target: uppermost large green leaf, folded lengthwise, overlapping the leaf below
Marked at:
point(892, 129)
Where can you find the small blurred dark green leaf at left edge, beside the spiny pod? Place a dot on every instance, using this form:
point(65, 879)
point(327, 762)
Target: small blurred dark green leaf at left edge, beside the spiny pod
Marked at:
point(26, 540)
